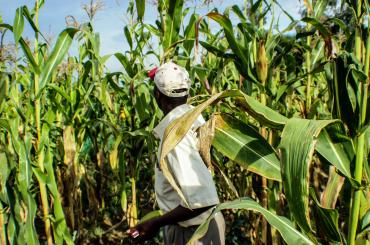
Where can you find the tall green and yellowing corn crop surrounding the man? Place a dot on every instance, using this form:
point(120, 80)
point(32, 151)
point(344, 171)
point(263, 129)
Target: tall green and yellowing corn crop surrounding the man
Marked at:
point(287, 135)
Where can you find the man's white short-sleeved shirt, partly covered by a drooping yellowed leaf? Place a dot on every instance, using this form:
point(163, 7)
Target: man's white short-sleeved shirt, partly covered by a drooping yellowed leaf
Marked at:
point(189, 171)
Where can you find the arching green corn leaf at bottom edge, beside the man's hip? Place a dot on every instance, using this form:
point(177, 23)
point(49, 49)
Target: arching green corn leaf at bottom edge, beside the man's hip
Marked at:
point(290, 234)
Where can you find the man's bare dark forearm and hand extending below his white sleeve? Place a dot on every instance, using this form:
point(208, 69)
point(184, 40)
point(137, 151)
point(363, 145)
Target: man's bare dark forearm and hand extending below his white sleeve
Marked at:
point(150, 228)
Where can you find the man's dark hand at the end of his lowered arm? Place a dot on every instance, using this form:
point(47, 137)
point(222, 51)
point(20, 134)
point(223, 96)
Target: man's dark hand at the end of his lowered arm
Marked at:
point(144, 231)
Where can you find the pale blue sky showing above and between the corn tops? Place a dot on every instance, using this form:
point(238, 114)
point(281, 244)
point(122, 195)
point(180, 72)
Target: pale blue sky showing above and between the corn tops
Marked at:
point(110, 21)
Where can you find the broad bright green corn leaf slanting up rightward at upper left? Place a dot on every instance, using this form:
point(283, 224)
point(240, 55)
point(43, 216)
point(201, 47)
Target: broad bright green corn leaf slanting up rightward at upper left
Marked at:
point(60, 49)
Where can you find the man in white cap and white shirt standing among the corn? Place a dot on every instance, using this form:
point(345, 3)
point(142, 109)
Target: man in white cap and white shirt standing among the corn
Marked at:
point(171, 90)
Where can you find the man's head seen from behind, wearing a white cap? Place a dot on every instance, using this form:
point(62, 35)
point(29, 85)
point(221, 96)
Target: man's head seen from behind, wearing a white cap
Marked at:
point(172, 86)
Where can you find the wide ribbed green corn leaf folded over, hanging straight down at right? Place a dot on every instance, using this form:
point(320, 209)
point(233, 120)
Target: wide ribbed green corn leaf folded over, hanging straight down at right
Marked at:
point(297, 146)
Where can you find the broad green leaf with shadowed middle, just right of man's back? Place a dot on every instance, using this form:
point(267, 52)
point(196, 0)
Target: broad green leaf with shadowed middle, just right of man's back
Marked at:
point(242, 144)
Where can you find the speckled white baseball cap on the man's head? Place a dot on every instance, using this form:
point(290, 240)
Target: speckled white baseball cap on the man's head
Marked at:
point(172, 80)
